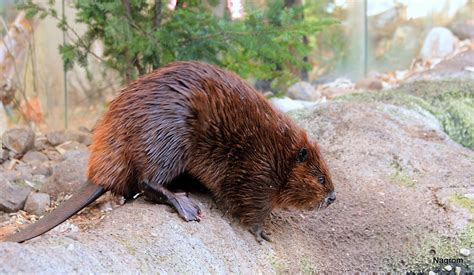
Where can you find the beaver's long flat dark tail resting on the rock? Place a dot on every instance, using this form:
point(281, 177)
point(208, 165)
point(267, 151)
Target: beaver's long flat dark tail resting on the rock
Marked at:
point(86, 195)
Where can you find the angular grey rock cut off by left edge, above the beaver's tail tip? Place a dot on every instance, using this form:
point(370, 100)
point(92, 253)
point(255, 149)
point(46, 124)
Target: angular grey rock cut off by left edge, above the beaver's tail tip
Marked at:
point(12, 197)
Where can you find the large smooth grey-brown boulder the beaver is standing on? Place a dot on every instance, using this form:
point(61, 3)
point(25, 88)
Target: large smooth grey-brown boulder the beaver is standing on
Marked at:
point(389, 163)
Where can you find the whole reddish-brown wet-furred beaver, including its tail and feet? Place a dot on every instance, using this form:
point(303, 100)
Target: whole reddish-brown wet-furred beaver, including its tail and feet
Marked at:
point(198, 119)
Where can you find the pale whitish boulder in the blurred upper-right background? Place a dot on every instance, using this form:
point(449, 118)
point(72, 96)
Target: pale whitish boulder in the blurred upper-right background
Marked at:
point(438, 43)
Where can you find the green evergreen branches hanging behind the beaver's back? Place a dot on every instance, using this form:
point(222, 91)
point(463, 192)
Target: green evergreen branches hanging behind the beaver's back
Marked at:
point(139, 36)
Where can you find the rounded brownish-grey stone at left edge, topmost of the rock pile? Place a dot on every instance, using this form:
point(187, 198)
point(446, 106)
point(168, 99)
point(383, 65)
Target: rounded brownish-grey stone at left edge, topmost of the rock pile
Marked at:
point(19, 140)
